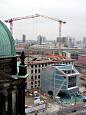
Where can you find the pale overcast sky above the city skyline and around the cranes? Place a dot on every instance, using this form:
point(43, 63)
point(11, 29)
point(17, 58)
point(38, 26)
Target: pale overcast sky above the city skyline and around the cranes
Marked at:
point(71, 11)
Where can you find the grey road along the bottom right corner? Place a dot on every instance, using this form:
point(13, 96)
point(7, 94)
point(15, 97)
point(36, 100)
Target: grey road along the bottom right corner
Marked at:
point(67, 111)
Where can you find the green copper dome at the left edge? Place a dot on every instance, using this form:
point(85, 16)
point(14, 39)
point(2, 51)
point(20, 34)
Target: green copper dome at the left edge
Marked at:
point(7, 45)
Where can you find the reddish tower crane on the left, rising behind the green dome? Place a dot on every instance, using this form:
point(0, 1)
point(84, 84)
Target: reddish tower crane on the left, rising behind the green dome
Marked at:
point(18, 18)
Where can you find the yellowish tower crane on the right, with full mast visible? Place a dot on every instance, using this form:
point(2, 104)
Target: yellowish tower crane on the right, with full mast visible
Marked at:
point(60, 25)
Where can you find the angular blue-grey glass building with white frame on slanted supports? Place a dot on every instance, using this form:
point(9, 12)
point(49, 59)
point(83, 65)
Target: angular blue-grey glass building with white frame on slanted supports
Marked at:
point(60, 79)
